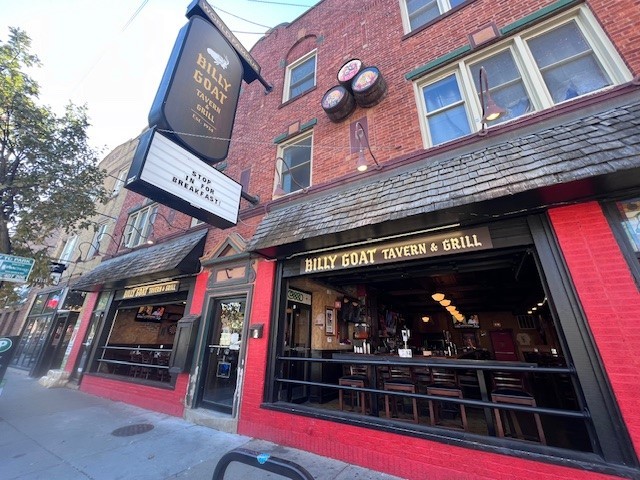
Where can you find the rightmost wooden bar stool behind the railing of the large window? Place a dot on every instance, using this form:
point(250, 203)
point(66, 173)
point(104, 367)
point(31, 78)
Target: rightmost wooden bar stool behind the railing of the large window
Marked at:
point(509, 388)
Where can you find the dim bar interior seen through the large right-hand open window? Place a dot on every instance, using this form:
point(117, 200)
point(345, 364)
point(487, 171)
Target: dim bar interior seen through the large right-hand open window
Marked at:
point(429, 343)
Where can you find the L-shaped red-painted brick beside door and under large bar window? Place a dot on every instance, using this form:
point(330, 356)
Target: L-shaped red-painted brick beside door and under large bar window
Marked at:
point(402, 456)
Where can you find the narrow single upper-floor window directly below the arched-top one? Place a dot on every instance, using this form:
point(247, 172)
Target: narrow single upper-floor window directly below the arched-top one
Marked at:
point(293, 173)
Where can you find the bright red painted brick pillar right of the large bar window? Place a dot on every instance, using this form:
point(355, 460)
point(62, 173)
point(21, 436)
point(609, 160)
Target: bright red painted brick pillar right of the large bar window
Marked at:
point(609, 297)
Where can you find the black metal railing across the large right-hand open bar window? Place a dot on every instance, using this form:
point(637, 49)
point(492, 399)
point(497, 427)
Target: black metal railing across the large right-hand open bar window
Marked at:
point(542, 376)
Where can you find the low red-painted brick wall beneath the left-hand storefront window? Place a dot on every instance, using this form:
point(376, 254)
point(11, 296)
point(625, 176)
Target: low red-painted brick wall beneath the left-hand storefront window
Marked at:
point(161, 400)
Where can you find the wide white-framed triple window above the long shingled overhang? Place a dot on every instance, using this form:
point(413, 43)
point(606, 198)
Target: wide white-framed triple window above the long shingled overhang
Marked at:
point(552, 63)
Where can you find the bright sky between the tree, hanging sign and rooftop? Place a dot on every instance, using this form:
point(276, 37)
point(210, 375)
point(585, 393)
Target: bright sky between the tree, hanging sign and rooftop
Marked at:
point(111, 54)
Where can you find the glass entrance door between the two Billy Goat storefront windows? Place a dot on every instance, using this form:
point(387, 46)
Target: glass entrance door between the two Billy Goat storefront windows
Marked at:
point(222, 356)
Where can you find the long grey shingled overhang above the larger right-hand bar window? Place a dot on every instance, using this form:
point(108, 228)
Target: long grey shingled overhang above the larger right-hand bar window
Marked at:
point(585, 156)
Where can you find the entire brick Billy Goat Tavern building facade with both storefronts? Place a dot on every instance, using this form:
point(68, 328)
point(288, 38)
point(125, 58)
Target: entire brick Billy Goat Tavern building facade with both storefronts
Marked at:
point(543, 188)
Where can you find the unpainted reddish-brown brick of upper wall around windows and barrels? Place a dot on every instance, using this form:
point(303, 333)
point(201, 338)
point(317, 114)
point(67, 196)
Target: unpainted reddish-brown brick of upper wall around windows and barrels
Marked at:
point(371, 31)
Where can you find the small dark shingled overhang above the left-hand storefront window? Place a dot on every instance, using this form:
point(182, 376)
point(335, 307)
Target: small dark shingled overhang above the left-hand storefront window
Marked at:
point(180, 256)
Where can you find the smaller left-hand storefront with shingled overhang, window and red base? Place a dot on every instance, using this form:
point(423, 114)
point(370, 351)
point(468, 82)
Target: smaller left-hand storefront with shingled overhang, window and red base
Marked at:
point(140, 330)
